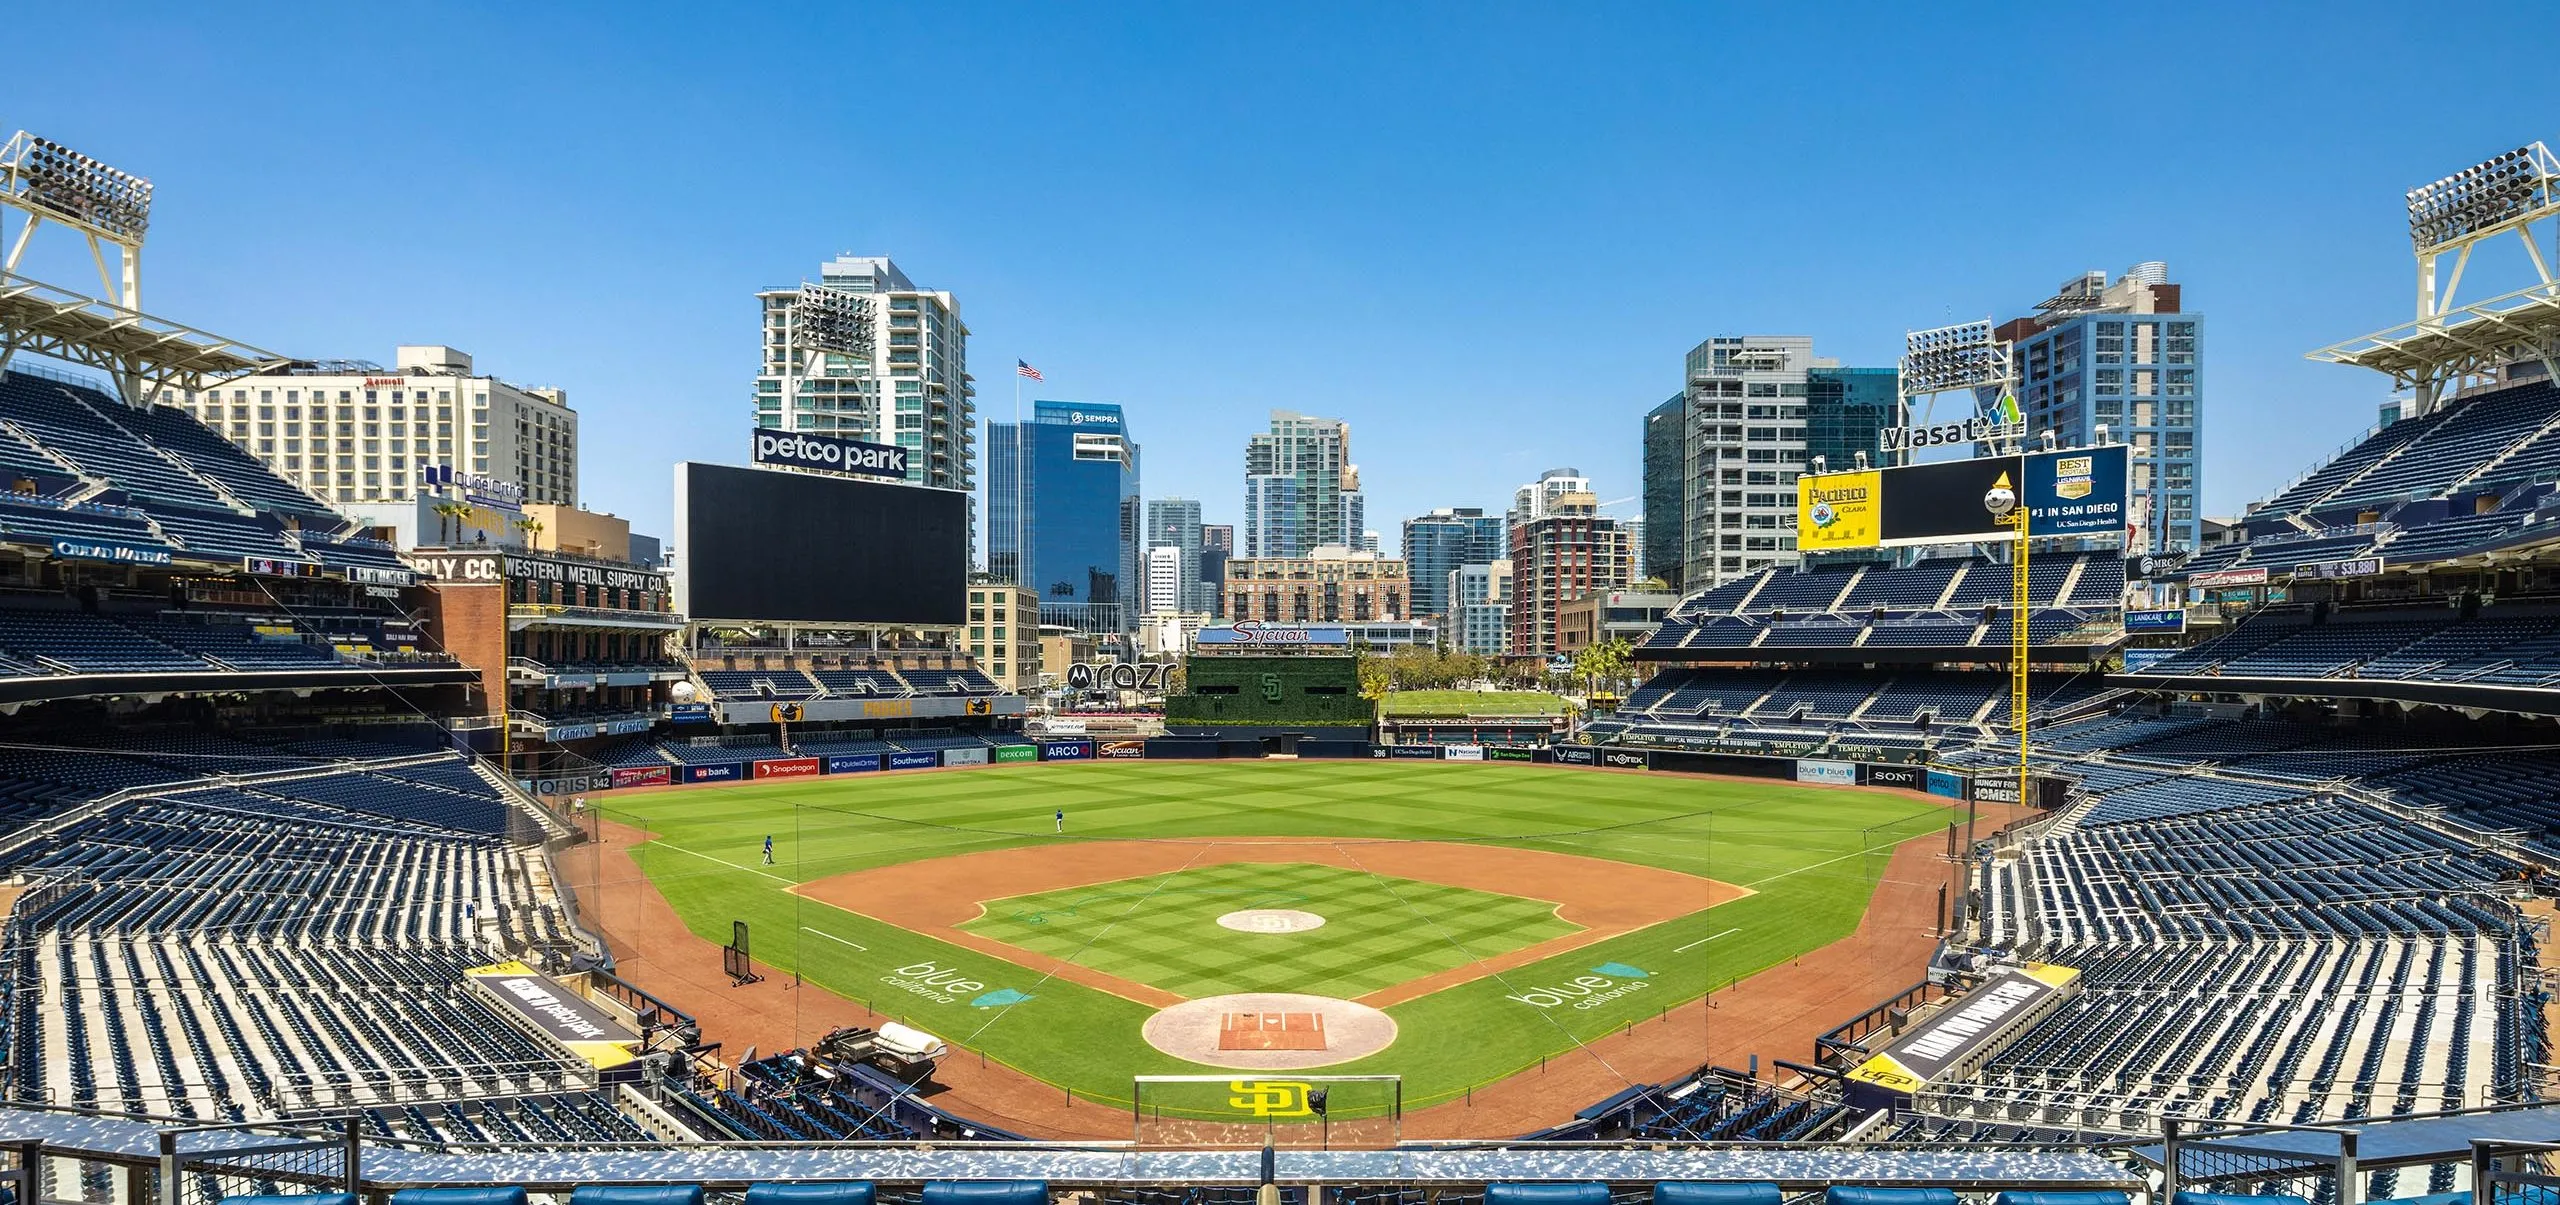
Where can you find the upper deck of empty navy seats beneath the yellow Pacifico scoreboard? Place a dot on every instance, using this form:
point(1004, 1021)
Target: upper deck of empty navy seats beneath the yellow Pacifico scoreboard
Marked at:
point(1914, 613)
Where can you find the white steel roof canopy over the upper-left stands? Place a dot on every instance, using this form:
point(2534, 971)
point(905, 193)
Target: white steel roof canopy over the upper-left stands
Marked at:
point(140, 352)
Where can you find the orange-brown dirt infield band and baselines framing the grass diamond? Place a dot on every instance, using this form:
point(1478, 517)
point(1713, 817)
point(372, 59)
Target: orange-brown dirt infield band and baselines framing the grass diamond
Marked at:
point(936, 897)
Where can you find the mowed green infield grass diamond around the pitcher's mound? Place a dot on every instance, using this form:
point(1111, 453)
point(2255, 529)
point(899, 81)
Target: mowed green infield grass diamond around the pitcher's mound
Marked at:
point(1164, 930)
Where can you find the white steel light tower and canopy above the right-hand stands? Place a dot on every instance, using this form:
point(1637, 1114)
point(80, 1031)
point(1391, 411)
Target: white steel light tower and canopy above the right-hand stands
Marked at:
point(2451, 344)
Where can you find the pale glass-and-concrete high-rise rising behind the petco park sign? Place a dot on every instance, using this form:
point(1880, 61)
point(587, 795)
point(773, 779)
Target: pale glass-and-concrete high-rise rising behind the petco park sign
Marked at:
point(913, 390)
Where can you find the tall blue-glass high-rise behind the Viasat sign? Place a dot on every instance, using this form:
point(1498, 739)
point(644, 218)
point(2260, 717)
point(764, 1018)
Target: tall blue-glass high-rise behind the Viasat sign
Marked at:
point(2126, 357)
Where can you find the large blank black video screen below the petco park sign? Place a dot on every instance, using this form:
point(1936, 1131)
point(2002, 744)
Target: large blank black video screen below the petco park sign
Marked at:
point(764, 546)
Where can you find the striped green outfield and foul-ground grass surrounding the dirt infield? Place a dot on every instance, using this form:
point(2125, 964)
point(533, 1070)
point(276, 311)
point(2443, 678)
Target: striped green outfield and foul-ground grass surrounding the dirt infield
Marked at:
point(1811, 858)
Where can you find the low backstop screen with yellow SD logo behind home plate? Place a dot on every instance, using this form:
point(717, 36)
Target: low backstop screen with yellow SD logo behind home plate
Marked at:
point(1281, 1109)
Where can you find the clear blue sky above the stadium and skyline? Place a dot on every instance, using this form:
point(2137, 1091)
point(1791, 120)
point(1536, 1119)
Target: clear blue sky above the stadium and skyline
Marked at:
point(1484, 237)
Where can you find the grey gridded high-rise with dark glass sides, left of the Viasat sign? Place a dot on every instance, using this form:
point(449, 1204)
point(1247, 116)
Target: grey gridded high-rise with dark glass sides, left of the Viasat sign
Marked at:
point(1755, 413)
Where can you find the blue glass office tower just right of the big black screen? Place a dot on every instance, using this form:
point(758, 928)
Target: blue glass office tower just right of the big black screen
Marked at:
point(1064, 516)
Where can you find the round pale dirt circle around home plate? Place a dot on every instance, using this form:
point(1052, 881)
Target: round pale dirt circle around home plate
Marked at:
point(1271, 1032)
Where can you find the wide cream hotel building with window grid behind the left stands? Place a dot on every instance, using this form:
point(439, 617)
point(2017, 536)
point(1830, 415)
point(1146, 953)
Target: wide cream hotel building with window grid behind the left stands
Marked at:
point(355, 434)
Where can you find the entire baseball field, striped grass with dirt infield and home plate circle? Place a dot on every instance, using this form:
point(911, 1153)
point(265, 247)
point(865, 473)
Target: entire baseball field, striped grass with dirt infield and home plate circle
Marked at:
point(1443, 922)
